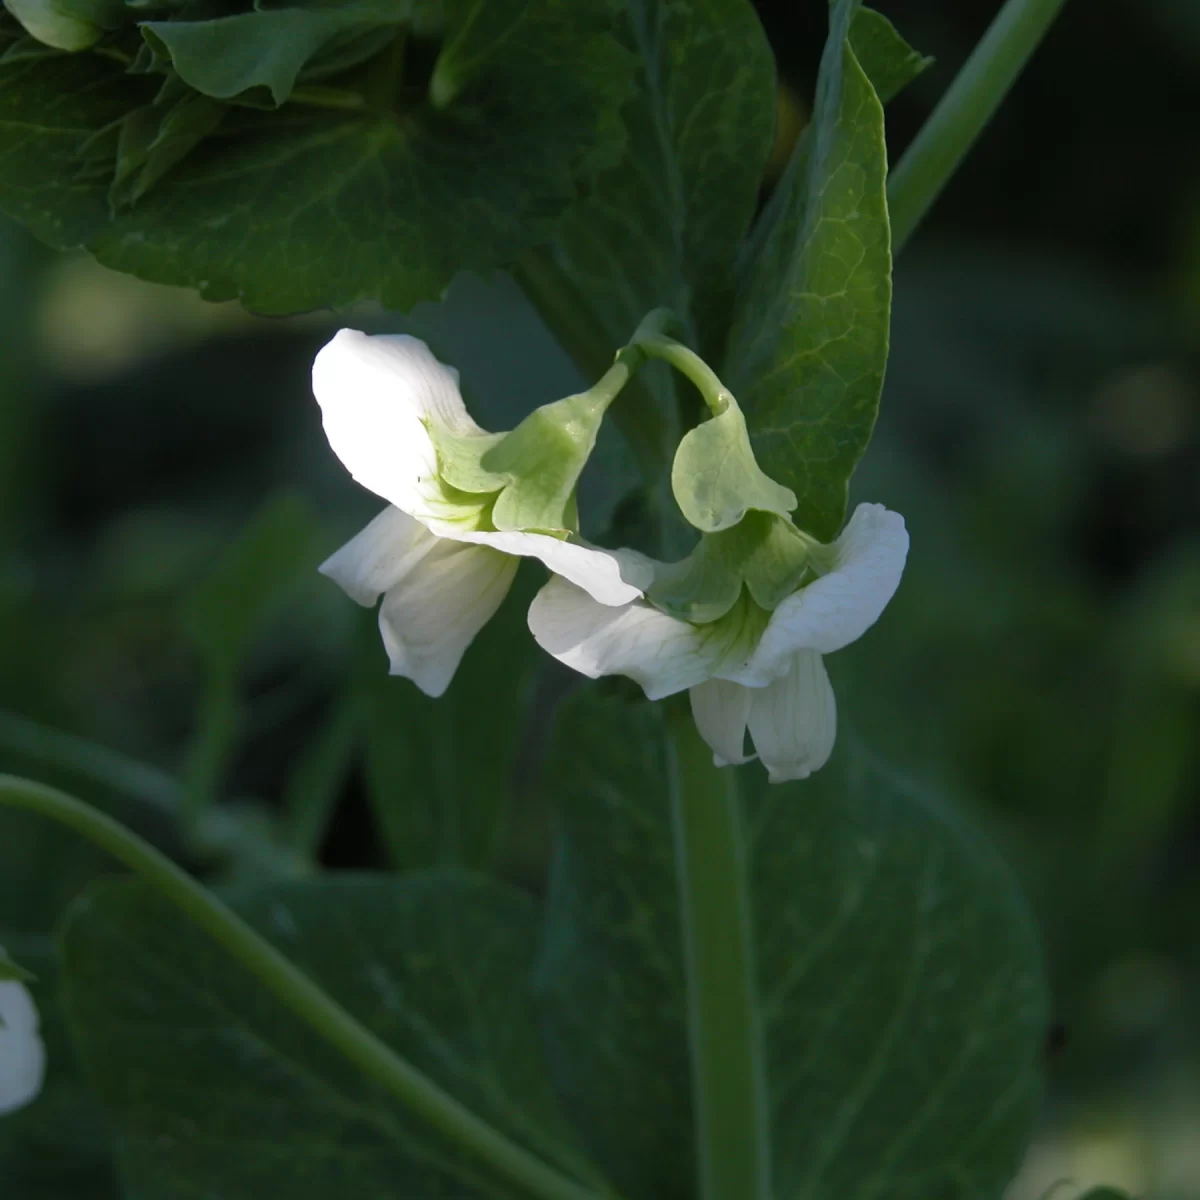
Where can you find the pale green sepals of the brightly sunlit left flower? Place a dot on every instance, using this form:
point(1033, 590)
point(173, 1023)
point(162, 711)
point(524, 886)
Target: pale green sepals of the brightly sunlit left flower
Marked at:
point(535, 469)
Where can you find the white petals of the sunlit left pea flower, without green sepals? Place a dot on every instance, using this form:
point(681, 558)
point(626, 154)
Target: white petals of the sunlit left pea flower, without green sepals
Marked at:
point(434, 556)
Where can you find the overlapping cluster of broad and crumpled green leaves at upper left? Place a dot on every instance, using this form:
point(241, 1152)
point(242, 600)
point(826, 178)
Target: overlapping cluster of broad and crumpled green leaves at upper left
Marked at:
point(307, 154)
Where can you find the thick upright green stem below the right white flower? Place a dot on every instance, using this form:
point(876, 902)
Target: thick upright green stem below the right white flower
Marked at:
point(729, 1090)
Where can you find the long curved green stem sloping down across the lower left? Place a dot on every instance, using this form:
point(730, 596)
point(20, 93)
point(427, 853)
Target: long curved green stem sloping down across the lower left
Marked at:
point(295, 989)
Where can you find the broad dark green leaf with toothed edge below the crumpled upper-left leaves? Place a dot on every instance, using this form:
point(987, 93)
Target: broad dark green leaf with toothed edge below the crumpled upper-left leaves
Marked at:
point(371, 194)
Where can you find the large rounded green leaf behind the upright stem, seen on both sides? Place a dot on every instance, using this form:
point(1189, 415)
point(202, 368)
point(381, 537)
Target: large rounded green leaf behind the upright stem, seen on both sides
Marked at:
point(899, 975)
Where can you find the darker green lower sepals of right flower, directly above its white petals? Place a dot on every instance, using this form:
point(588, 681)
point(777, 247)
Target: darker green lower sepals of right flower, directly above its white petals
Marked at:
point(764, 551)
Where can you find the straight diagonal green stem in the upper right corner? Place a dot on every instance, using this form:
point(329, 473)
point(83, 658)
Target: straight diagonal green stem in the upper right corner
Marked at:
point(964, 111)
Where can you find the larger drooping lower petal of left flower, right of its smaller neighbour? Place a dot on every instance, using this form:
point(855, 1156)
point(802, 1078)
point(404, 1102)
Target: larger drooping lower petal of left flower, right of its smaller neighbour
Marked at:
point(431, 615)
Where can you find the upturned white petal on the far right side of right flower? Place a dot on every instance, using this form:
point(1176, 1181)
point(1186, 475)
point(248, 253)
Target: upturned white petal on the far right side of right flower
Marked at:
point(839, 608)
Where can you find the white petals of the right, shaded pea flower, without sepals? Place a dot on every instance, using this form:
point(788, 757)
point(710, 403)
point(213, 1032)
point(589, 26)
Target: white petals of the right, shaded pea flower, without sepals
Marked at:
point(751, 670)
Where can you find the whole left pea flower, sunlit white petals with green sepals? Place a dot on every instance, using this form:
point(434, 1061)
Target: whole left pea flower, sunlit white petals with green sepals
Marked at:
point(465, 506)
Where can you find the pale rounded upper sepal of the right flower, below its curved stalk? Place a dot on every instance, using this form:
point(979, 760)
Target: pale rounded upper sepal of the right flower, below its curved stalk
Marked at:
point(716, 478)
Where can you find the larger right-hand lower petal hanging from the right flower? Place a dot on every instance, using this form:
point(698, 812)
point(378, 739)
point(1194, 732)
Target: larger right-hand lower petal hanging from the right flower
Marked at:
point(794, 722)
